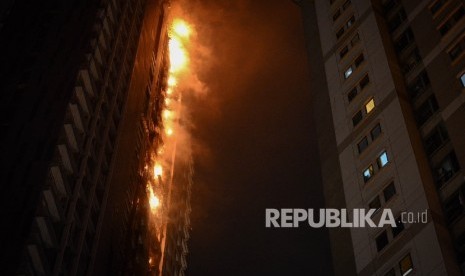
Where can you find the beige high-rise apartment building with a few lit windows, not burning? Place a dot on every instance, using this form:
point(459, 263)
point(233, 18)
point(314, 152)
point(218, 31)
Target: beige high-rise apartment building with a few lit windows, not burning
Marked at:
point(388, 80)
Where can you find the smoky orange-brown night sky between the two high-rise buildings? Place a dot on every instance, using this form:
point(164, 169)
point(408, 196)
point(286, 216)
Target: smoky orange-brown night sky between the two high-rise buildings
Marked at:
point(255, 145)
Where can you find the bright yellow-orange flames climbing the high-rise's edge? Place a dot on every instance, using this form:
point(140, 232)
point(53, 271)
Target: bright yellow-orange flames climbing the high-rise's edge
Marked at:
point(178, 60)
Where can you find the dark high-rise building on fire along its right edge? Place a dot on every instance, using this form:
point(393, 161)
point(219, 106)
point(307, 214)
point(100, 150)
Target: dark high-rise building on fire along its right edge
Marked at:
point(82, 87)
